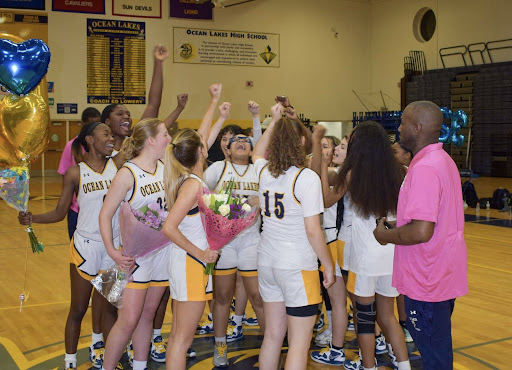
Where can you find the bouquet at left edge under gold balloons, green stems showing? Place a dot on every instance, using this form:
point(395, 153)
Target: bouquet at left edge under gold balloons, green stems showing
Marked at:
point(15, 191)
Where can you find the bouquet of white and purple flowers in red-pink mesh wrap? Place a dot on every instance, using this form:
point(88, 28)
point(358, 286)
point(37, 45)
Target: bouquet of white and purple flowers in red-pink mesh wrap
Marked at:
point(224, 216)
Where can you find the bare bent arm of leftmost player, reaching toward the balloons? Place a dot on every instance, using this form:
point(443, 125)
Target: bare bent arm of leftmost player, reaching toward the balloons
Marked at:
point(69, 186)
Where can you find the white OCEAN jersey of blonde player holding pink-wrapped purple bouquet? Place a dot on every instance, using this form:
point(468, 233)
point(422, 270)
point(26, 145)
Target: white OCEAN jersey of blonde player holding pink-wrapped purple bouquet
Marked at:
point(147, 187)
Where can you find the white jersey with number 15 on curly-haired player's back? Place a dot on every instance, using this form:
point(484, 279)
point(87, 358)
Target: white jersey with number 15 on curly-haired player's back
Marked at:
point(285, 201)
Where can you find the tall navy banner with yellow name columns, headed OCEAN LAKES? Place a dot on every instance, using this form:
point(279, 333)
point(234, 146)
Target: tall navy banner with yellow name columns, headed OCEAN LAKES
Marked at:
point(116, 62)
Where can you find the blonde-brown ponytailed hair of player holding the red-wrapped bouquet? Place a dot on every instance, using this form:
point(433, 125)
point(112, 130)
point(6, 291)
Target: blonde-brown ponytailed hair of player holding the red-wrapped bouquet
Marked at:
point(180, 157)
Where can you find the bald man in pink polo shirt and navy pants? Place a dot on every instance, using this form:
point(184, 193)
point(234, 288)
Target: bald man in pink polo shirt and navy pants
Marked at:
point(430, 264)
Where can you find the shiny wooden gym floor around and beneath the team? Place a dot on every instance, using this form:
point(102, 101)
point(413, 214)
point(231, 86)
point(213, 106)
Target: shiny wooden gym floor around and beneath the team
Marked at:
point(33, 338)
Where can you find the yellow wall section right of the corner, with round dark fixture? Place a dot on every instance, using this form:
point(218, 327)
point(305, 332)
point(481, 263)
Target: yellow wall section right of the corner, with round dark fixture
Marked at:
point(459, 22)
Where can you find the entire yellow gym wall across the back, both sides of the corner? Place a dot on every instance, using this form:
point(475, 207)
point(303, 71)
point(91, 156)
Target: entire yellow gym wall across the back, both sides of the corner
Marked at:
point(318, 71)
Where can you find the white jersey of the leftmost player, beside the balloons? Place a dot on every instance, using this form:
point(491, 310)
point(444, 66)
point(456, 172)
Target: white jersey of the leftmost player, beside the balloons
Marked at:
point(92, 190)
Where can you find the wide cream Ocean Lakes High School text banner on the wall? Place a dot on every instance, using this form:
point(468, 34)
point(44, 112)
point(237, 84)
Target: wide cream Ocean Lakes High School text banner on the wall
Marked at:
point(237, 48)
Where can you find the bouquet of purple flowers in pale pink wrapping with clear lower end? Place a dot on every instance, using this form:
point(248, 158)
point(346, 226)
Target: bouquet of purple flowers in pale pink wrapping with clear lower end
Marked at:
point(140, 234)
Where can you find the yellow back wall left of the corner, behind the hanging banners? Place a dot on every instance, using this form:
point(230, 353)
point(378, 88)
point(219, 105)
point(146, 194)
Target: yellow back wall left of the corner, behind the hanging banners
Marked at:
point(317, 70)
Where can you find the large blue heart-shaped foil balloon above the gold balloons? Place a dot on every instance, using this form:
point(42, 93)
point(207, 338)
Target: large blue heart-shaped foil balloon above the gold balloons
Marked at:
point(23, 65)
